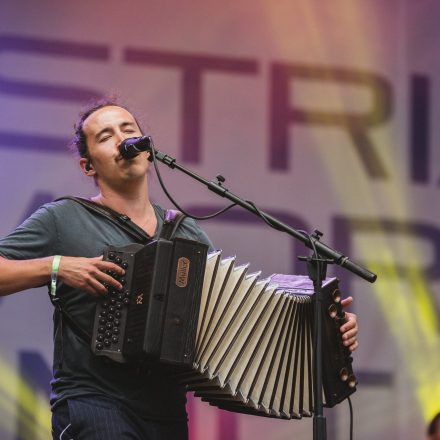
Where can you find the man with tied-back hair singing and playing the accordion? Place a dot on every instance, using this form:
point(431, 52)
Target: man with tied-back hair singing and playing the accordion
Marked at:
point(92, 399)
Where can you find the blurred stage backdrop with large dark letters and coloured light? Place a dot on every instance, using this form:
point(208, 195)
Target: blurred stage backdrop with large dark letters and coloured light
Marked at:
point(322, 113)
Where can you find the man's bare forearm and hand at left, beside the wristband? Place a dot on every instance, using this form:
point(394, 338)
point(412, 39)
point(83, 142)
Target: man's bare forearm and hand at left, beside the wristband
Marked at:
point(88, 274)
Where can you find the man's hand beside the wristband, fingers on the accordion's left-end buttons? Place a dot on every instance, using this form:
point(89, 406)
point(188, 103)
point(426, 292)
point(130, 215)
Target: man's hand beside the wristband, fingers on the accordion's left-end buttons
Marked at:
point(89, 274)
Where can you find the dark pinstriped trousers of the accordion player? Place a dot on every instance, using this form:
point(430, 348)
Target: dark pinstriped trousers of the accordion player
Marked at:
point(94, 418)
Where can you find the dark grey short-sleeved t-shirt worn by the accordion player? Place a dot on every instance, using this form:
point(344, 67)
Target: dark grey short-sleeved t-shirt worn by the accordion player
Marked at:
point(67, 228)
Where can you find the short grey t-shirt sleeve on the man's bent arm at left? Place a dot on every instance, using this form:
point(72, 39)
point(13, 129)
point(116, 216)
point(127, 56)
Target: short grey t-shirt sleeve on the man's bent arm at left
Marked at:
point(36, 237)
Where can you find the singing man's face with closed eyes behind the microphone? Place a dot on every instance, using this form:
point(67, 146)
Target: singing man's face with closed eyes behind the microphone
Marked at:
point(105, 129)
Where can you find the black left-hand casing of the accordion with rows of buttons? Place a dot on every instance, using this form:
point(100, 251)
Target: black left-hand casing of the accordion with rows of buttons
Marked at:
point(152, 317)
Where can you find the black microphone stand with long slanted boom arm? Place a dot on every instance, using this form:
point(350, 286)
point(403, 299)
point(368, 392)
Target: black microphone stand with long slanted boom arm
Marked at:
point(317, 265)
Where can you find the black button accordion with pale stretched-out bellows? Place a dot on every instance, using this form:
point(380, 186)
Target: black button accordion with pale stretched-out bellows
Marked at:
point(241, 342)
